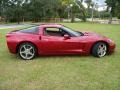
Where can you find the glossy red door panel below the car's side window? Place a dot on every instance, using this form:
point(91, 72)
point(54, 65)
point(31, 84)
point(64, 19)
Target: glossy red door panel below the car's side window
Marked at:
point(59, 45)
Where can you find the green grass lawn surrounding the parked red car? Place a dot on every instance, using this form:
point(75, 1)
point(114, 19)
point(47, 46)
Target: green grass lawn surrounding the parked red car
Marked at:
point(62, 73)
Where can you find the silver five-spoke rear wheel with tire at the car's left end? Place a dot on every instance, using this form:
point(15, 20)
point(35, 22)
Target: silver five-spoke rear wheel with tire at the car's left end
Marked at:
point(27, 51)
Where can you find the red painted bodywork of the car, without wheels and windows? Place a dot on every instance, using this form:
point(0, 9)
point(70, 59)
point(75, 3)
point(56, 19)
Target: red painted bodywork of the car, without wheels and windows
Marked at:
point(54, 45)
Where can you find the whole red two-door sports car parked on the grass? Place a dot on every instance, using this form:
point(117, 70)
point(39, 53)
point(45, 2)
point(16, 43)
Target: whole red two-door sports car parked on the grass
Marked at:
point(55, 39)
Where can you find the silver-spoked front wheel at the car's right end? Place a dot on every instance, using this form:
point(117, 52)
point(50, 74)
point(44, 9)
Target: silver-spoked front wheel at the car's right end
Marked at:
point(99, 49)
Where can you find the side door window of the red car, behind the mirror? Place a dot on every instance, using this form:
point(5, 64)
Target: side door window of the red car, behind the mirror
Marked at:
point(52, 32)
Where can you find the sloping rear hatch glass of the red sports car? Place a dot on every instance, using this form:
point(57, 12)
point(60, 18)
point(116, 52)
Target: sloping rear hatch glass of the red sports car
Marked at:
point(31, 30)
